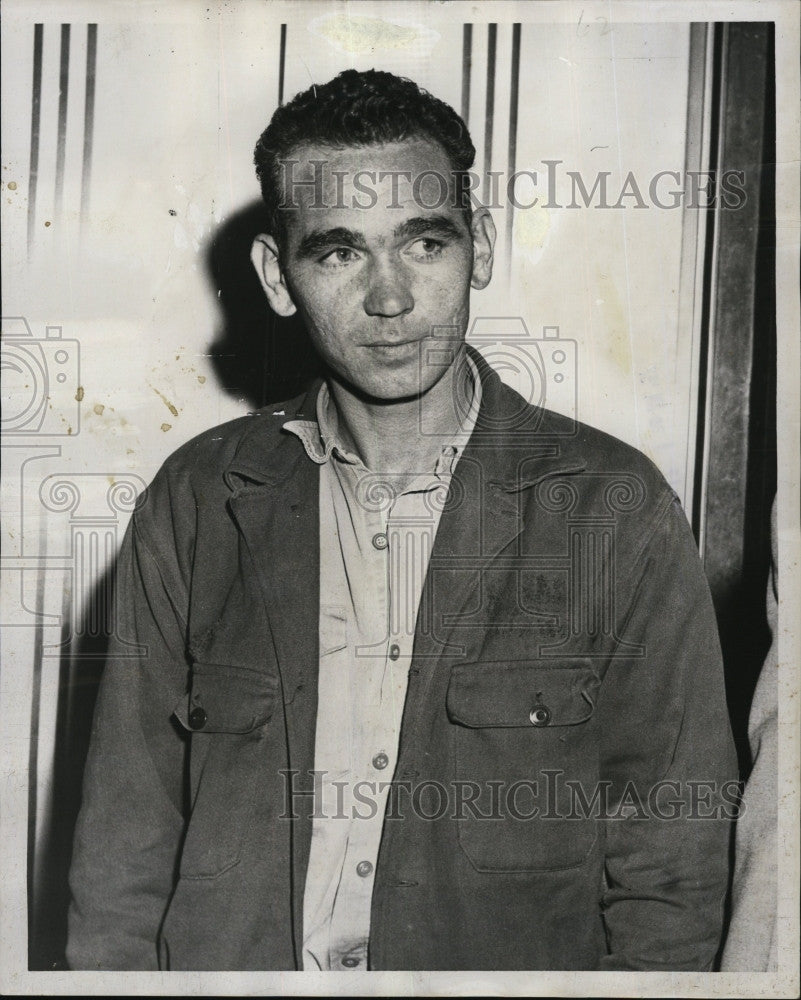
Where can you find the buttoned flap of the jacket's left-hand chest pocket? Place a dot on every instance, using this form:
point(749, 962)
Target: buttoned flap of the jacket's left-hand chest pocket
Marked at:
point(226, 699)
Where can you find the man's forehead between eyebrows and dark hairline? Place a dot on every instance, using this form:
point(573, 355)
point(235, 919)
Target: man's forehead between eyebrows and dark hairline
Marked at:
point(369, 188)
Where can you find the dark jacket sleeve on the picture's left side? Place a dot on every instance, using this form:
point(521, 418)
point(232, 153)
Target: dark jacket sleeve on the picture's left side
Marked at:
point(129, 829)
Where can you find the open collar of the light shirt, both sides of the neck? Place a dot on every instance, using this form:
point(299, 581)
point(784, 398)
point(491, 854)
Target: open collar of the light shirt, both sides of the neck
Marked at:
point(320, 438)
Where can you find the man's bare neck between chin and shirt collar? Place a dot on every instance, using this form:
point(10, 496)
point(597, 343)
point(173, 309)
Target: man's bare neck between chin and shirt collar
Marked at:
point(396, 437)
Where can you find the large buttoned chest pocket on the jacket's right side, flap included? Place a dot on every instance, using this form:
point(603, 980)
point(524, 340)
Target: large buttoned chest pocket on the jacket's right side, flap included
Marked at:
point(524, 751)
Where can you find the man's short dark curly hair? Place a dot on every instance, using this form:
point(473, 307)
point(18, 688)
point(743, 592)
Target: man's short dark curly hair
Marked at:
point(358, 109)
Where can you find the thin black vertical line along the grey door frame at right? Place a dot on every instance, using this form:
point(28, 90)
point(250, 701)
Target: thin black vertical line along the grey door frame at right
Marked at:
point(708, 287)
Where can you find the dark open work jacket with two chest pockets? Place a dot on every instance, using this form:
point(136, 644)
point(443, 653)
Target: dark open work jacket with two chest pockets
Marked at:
point(559, 799)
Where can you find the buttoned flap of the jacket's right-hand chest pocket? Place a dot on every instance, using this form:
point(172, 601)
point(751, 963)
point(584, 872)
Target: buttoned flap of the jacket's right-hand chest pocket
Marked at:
point(521, 693)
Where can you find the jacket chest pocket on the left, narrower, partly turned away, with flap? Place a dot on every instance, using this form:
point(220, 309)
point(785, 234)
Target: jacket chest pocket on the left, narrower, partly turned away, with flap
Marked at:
point(228, 711)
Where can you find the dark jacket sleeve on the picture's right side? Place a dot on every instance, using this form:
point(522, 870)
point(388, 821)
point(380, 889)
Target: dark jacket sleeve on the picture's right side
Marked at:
point(669, 758)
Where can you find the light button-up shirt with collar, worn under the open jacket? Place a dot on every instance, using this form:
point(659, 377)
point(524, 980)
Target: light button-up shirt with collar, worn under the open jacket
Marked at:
point(376, 537)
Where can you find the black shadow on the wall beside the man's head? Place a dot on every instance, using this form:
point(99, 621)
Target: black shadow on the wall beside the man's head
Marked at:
point(257, 356)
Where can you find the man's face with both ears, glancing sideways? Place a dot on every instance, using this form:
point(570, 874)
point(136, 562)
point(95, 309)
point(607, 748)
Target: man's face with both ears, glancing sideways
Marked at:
point(374, 283)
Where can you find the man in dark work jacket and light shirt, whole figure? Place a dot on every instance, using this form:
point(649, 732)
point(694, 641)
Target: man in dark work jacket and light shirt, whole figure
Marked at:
point(430, 677)
